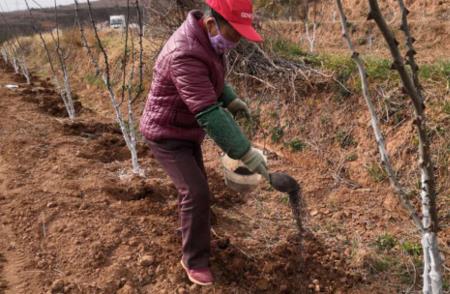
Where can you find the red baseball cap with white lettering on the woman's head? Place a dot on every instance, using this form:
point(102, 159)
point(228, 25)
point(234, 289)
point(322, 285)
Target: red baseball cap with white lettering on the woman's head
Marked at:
point(239, 14)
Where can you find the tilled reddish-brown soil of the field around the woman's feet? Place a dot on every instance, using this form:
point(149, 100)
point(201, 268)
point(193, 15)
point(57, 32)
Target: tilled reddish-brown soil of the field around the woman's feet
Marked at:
point(71, 221)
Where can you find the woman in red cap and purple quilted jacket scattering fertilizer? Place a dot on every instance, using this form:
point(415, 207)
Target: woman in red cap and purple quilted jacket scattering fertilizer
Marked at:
point(187, 99)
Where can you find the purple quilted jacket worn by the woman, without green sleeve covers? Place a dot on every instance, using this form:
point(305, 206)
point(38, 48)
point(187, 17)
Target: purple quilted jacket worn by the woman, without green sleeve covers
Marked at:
point(187, 78)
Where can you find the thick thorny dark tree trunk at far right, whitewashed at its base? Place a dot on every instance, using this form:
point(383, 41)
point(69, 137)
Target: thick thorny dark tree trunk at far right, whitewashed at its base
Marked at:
point(432, 271)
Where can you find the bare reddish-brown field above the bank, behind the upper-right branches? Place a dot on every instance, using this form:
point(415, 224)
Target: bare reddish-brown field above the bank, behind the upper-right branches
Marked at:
point(429, 23)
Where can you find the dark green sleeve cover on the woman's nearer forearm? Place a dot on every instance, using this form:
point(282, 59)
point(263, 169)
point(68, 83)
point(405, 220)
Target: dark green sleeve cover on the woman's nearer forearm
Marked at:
point(222, 128)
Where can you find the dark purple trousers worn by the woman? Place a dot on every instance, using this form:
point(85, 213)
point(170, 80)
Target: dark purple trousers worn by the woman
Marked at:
point(183, 162)
